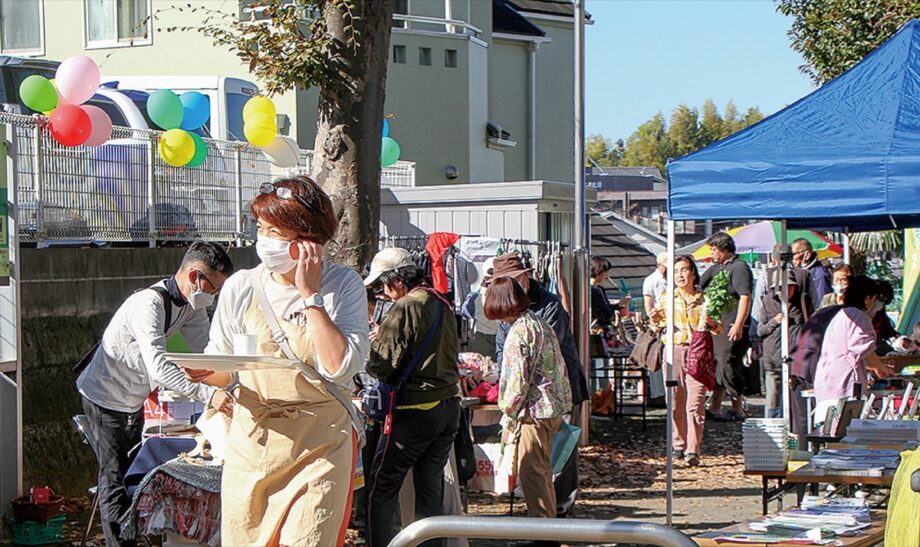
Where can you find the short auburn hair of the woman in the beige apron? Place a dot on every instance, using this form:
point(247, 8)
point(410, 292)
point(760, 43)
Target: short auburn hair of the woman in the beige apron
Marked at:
point(309, 212)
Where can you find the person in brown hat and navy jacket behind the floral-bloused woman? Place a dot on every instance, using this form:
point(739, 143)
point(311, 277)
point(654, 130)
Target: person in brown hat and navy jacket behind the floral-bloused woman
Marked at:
point(547, 307)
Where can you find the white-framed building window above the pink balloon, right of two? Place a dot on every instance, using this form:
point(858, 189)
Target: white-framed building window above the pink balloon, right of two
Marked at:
point(117, 22)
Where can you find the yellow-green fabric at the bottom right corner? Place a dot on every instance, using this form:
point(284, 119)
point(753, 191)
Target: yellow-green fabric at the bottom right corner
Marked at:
point(903, 526)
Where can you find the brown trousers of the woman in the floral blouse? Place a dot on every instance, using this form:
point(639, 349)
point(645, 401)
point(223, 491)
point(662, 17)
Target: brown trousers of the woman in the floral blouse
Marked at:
point(534, 470)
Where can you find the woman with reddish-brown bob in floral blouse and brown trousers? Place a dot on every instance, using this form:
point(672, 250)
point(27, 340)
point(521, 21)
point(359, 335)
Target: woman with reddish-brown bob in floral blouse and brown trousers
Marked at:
point(534, 391)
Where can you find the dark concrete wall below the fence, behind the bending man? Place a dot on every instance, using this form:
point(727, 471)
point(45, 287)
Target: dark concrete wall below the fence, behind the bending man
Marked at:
point(68, 297)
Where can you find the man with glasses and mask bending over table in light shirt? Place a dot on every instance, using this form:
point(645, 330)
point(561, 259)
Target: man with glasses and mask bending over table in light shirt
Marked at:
point(129, 362)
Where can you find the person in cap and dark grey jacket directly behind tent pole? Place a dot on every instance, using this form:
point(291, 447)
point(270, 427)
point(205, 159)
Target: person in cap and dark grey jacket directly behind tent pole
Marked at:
point(769, 330)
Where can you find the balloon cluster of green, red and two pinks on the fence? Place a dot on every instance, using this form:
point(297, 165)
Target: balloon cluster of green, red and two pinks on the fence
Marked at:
point(72, 122)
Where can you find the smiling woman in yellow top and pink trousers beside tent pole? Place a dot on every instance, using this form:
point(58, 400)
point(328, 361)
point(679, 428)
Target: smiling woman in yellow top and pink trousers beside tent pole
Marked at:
point(689, 414)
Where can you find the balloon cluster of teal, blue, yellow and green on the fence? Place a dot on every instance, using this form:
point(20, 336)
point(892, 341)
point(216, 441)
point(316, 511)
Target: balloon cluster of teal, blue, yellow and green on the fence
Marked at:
point(179, 116)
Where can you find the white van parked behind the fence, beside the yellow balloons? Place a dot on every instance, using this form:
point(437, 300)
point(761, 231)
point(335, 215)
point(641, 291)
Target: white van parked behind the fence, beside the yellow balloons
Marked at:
point(227, 96)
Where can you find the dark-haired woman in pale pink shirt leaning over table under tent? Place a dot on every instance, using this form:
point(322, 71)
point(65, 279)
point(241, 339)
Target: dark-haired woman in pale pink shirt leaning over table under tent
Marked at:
point(848, 350)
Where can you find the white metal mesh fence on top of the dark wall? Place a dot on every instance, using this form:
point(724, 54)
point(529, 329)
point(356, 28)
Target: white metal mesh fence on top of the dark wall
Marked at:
point(124, 192)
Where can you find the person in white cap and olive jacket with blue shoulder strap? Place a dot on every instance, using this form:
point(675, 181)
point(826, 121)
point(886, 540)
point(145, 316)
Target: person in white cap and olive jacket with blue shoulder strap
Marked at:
point(427, 414)
